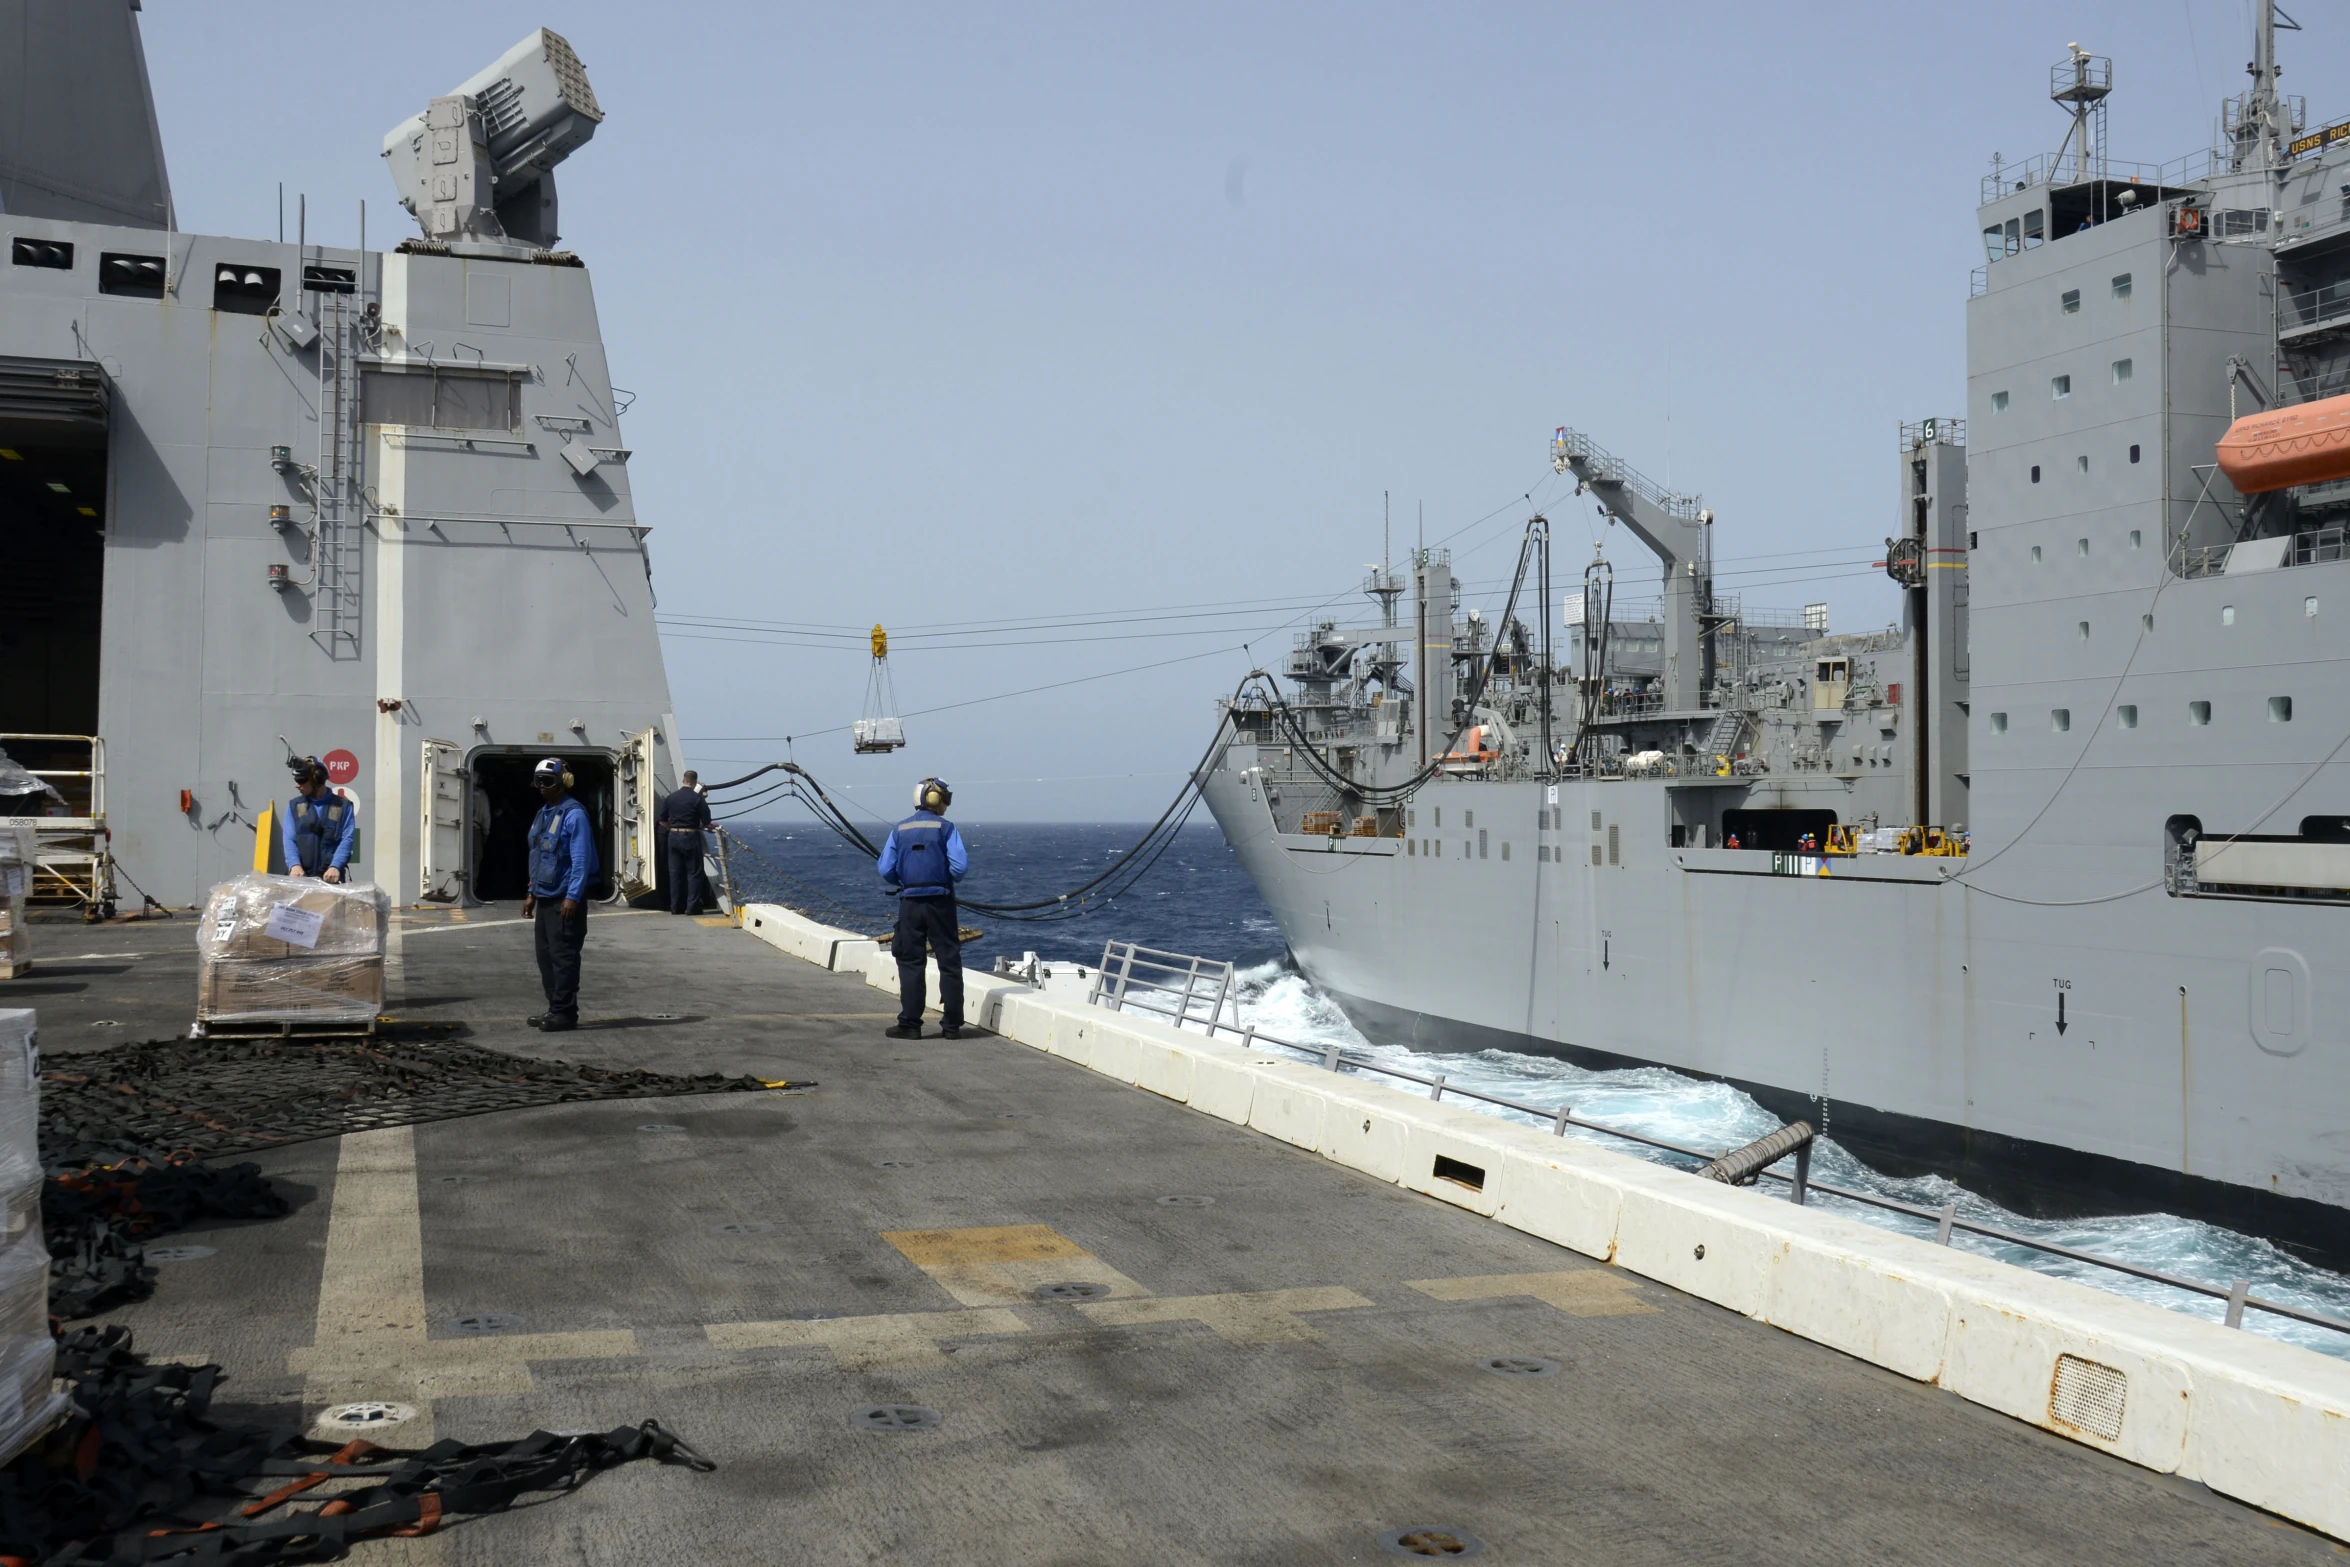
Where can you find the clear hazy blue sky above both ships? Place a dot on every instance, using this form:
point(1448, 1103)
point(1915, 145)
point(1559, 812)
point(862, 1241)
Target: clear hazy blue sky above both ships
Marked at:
point(1099, 314)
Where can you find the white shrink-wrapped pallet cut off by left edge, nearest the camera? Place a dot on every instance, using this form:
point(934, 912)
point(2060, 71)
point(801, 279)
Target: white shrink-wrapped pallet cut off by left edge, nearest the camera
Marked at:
point(27, 1352)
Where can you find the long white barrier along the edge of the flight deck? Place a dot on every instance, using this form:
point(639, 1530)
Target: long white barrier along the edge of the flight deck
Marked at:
point(2245, 1415)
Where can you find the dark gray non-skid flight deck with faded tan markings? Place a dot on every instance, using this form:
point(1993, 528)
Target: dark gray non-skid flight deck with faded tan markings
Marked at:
point(1282, 1373)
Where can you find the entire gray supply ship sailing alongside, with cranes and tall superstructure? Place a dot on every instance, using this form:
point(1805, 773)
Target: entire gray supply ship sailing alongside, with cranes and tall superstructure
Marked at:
point(2048, 885)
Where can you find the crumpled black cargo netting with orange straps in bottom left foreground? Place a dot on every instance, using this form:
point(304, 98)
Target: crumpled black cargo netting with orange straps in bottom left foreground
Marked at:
point(142, 1474)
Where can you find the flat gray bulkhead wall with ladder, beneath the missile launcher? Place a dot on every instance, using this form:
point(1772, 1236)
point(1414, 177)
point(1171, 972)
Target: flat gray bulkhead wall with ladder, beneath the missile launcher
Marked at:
point(492, 596)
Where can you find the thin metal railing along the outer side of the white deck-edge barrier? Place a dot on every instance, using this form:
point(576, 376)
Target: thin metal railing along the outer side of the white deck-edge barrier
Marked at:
point(1801, 1185)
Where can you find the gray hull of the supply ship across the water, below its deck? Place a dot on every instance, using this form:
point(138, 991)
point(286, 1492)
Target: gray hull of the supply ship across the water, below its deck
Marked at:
point(1898, 1009)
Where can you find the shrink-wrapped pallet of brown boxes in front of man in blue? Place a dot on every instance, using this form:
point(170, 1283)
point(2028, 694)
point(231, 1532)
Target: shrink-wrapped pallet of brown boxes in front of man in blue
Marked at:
point(290, 950)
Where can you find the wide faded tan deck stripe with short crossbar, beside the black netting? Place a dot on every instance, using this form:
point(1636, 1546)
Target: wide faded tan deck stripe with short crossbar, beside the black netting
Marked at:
point(372, 1338)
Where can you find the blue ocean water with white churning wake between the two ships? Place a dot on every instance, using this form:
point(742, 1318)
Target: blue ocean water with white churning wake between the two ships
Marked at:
point(1197, 901)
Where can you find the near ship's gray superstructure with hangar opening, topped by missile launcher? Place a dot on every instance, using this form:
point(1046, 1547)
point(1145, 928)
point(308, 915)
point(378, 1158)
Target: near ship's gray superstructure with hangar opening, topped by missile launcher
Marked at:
point(375, 504)
